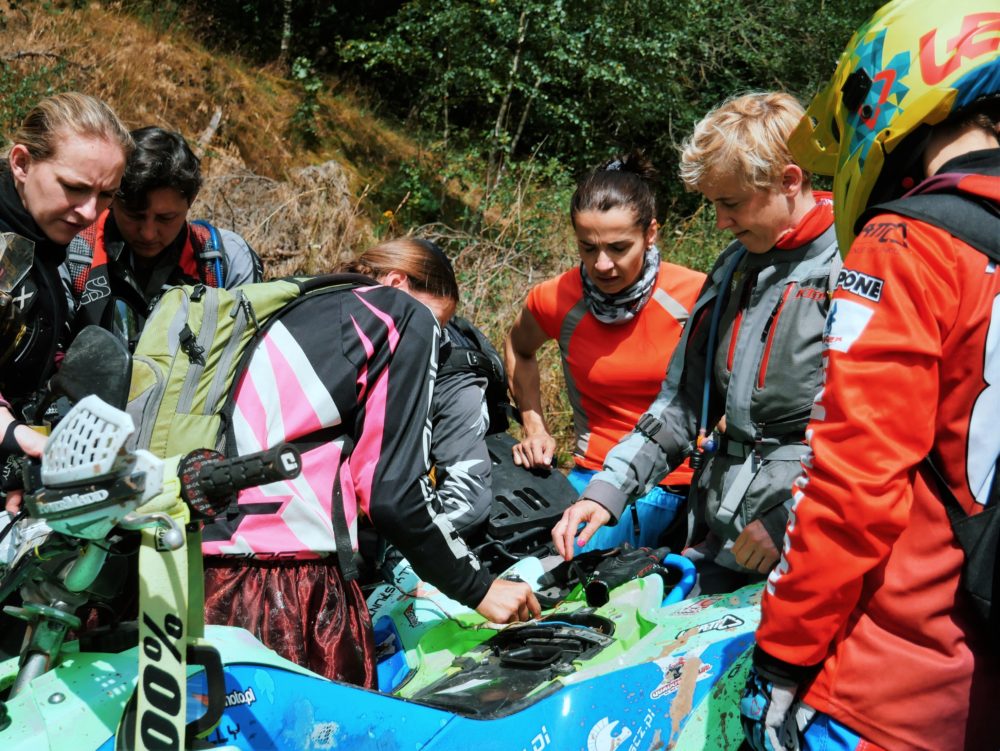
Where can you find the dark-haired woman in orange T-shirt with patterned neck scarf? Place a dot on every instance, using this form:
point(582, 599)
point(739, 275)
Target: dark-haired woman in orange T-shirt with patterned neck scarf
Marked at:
point(617, 318)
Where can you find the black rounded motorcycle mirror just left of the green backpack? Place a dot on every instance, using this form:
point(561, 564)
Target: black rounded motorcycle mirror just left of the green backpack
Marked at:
point(97, 362)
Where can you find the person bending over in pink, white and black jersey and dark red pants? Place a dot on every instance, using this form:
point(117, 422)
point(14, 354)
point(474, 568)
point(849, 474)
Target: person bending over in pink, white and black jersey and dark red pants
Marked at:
point(348, 377)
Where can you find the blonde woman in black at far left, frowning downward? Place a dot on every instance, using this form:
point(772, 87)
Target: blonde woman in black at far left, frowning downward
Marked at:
point(62, 170)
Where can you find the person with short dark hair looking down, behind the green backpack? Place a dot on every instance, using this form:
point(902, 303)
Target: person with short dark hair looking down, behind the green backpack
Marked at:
point(145, 241)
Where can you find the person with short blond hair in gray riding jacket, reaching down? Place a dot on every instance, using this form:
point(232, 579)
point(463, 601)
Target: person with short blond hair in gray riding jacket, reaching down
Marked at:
point(751, 352)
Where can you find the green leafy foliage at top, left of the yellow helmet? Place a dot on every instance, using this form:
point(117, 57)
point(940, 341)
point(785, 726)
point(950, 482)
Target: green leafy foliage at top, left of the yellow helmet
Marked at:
point(579, 79)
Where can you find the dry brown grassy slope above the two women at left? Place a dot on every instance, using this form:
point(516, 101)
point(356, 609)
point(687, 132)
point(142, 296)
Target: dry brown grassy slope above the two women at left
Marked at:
point(300, 219)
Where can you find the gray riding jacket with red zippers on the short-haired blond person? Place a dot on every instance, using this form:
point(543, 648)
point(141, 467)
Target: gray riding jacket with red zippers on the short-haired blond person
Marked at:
point(765, 373)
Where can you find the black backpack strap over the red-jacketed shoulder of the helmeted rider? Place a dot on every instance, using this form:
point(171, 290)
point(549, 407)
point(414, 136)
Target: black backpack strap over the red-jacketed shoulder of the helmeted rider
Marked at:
point(972, 220)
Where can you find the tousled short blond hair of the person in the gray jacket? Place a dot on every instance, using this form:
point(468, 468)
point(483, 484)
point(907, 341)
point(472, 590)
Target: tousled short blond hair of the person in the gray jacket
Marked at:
point(746, 136)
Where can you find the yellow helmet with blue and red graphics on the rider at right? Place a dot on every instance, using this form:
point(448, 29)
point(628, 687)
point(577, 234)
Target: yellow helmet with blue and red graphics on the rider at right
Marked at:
point(912, 65)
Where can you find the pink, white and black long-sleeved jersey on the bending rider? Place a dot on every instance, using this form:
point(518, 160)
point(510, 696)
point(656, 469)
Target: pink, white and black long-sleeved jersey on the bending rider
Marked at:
point(346, 376)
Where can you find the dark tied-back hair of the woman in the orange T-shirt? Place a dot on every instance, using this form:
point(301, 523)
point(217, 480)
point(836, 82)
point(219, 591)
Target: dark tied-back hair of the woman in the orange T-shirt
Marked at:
point(622, 182)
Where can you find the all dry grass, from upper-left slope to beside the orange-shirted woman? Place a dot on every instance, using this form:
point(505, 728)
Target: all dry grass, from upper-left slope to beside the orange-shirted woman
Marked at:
point(299, 208)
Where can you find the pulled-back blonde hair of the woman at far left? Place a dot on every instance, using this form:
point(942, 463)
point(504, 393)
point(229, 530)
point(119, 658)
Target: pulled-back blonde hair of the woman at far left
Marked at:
point(70, 112)
